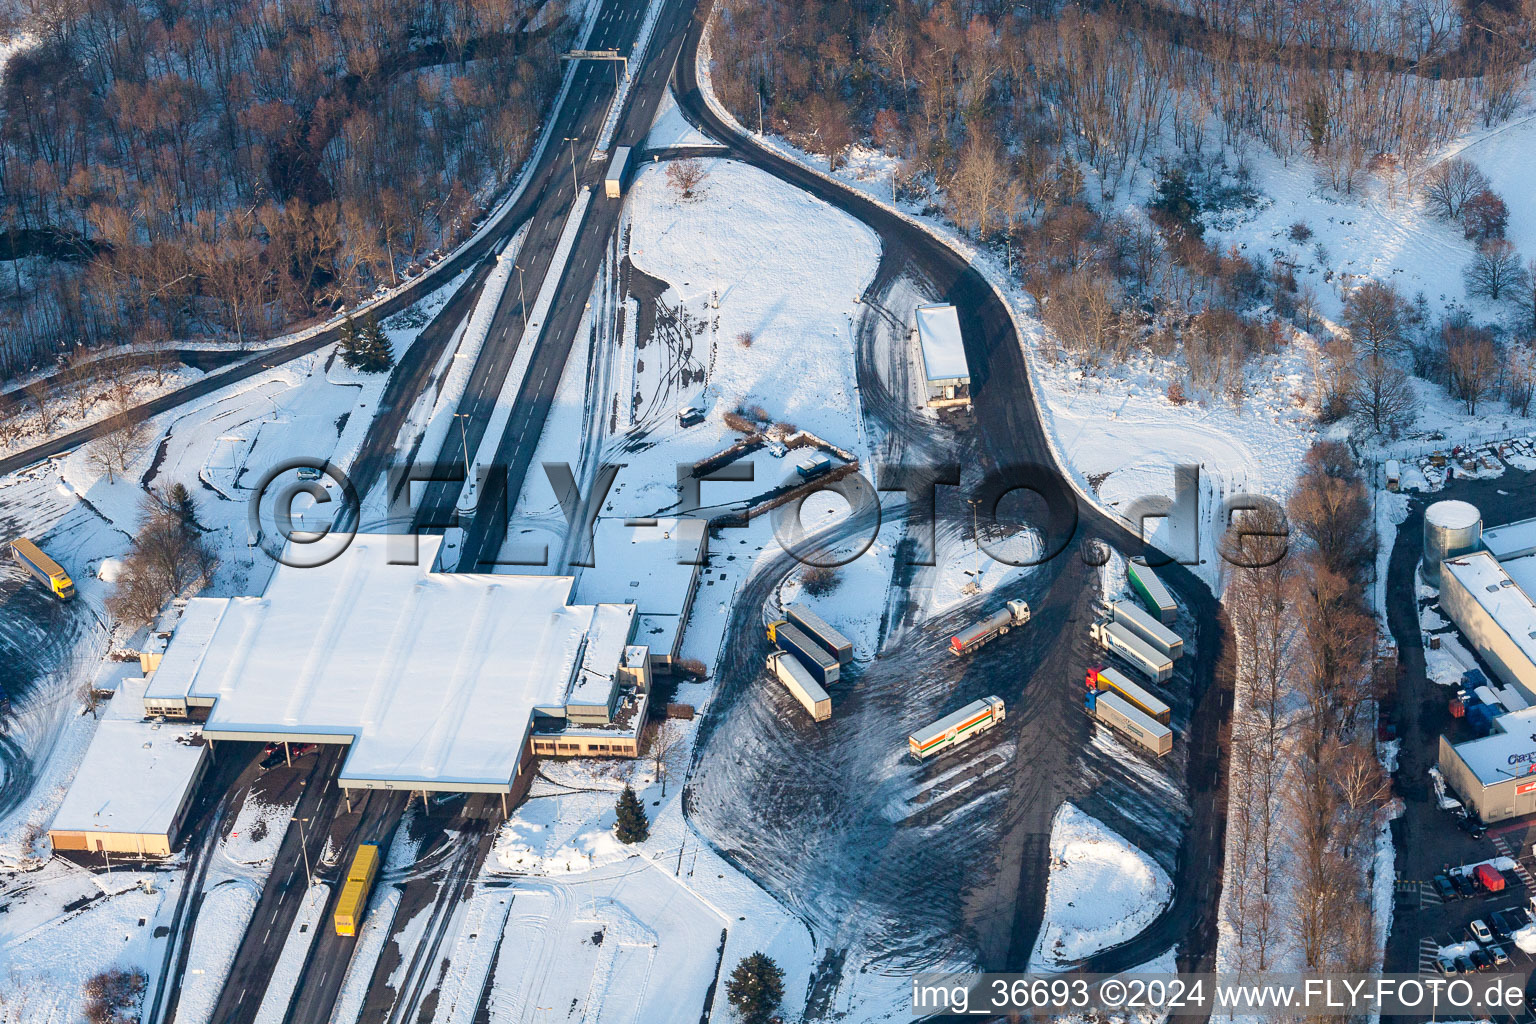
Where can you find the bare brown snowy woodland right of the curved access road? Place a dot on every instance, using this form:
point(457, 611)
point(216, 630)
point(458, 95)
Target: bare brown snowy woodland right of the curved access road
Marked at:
point(1030, 125)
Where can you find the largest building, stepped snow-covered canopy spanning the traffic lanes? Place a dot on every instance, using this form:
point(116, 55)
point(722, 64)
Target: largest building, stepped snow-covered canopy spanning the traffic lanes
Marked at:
point(432, 681)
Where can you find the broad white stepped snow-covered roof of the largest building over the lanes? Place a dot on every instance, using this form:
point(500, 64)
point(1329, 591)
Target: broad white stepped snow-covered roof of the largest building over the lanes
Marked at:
point(432, 678)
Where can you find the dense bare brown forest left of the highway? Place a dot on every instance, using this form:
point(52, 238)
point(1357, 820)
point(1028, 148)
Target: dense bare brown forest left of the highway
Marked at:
point(213, 170)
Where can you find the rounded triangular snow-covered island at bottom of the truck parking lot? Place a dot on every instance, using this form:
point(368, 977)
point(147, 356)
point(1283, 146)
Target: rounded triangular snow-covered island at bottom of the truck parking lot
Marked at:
point(1102, 891)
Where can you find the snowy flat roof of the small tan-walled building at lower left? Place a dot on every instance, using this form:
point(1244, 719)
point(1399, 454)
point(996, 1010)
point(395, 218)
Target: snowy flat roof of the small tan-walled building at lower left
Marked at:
point(134, 778)
